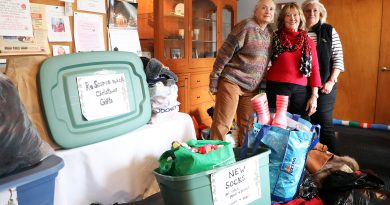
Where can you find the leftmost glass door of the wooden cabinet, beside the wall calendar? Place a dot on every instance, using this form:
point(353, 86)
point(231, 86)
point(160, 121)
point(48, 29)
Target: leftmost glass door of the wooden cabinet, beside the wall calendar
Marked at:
point(146, 25)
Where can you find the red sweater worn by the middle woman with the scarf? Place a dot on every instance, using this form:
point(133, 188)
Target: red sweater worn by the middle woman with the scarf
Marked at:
point(286, 67)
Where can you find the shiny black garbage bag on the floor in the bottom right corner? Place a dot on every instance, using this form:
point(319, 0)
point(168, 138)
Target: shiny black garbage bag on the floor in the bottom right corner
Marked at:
point(357, 188)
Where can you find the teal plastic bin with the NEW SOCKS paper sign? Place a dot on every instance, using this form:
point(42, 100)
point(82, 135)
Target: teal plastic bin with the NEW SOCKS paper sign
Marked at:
point(198, 189)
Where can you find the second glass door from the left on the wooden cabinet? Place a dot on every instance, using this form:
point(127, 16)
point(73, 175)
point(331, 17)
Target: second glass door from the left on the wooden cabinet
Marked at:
point(174, 29)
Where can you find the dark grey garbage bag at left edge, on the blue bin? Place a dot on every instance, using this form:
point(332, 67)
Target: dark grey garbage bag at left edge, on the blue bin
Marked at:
point(20, 144)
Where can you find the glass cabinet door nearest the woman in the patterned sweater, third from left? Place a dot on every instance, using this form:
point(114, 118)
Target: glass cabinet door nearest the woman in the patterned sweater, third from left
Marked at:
point(204, 29)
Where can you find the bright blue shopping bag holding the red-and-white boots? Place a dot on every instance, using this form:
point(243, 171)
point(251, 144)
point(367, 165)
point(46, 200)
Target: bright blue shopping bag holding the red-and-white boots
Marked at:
point(289, 148)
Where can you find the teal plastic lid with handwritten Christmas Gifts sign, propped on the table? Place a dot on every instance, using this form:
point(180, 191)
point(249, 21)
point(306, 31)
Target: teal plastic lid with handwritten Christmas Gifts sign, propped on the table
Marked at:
point(93, 96)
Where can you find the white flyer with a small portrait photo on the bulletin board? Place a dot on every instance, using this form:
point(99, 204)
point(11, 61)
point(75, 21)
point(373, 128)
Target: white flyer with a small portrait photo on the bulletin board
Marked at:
point(59, 26)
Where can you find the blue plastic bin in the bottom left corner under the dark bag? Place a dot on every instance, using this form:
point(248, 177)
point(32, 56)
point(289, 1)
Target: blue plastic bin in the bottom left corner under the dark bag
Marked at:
point(34, 185)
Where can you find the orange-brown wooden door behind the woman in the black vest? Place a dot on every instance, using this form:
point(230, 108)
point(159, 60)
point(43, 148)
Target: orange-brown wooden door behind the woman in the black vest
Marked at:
point(360, 38)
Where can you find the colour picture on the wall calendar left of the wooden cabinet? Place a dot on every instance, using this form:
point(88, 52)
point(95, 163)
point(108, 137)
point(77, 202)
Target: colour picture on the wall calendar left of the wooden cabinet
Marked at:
point(123, 14)
